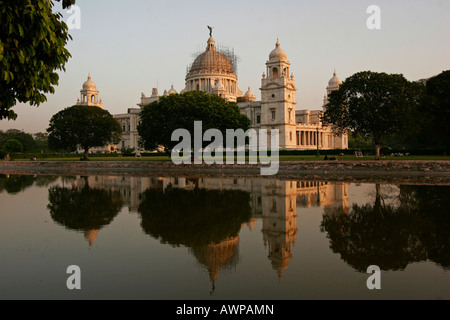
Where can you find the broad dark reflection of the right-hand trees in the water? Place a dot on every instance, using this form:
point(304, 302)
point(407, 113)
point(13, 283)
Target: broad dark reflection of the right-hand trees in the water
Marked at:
point(392, 237)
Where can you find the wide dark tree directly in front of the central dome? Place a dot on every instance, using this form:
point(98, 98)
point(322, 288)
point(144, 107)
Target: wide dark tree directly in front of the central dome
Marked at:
point(179, 111)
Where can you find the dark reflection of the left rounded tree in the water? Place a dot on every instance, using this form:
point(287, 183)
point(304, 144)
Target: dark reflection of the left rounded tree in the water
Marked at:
point(86, 209)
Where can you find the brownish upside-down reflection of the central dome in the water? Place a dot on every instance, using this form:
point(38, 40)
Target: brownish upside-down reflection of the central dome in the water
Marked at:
point(216, 256)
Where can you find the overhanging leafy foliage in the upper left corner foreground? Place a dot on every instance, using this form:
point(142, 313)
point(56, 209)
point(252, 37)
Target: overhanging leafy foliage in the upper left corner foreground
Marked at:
point(32, 50)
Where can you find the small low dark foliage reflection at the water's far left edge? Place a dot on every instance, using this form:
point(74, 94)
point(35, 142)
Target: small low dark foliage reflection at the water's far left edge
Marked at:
point(14, 184)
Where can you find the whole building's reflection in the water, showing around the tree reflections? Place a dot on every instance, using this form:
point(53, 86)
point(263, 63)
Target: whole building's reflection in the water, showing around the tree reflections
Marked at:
point(274, 201)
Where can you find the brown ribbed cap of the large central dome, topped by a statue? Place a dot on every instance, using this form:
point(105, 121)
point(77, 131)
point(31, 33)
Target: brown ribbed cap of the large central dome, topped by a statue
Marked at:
point(211, 61)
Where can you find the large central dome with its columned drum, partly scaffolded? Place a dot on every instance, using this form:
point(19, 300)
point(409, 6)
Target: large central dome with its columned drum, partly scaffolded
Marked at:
point(212, 72)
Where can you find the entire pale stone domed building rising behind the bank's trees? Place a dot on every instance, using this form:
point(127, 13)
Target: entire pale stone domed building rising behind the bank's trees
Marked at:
point(214, 72)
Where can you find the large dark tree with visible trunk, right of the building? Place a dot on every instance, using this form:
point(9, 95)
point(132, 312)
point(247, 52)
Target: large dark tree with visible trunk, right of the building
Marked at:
point(374, 106)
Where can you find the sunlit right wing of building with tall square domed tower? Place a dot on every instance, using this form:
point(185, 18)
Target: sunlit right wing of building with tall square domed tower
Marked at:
point(298, 129)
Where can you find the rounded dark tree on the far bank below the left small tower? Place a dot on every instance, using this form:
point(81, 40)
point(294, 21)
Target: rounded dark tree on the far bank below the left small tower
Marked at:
point(84, 126)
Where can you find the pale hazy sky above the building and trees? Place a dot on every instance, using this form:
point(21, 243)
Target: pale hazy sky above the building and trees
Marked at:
point(132, 46)
